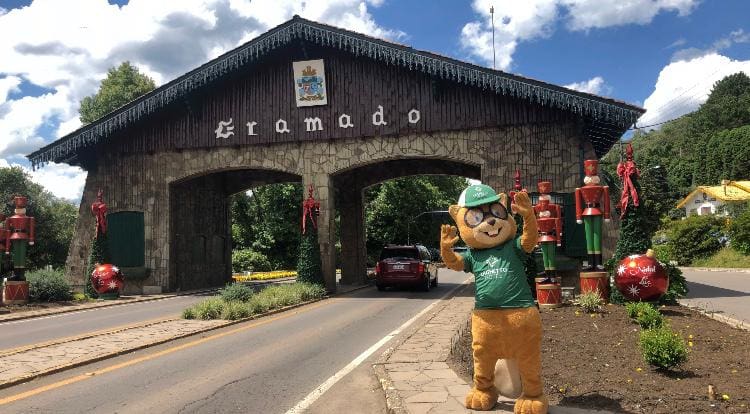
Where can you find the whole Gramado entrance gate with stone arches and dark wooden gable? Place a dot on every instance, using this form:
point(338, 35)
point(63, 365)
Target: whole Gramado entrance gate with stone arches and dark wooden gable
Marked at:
point(179, 152)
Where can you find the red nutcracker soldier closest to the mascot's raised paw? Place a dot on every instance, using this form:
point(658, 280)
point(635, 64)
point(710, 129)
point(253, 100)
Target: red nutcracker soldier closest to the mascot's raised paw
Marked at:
point(548, 218)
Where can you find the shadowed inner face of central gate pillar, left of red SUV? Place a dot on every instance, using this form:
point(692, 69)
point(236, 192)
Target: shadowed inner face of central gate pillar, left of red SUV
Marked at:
point(352, 232)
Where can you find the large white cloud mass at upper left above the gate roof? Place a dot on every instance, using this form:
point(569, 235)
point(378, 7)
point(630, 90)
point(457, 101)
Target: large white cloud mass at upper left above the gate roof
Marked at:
point(67, 47)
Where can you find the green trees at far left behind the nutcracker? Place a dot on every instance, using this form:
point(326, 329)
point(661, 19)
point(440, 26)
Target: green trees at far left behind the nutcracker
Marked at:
point(55, 218)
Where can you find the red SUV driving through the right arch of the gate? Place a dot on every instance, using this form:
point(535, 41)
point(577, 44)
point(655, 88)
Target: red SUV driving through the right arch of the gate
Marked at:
point(405, 266)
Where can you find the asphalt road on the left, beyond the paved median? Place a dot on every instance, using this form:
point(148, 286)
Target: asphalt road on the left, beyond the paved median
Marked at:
point(31, 331)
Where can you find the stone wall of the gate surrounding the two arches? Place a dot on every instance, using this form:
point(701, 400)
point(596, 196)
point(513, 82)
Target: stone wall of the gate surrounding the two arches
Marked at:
point(172, 188)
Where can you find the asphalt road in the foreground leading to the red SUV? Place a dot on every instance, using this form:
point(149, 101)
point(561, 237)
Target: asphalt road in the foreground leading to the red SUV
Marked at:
point(262, 366)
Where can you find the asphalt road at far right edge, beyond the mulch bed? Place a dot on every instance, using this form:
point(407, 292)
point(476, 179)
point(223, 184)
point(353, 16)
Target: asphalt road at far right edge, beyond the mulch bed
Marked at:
point(724, 292)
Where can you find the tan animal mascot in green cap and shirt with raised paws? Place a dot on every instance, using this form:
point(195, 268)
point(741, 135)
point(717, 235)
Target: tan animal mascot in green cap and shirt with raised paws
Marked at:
point(505, 323)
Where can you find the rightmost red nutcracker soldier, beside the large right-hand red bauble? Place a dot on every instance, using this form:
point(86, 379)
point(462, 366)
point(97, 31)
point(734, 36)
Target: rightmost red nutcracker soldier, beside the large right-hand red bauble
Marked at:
point(592, 202)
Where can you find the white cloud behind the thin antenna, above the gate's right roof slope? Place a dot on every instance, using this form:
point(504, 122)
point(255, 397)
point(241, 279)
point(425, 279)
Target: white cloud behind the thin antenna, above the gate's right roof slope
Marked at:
point(517, 21)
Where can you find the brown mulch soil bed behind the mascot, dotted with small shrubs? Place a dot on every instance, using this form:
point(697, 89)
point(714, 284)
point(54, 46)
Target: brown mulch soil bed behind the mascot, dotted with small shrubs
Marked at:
point(595, 362)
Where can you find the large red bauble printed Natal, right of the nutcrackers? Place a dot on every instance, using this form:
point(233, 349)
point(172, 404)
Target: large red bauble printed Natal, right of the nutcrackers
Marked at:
point(641, 277)
